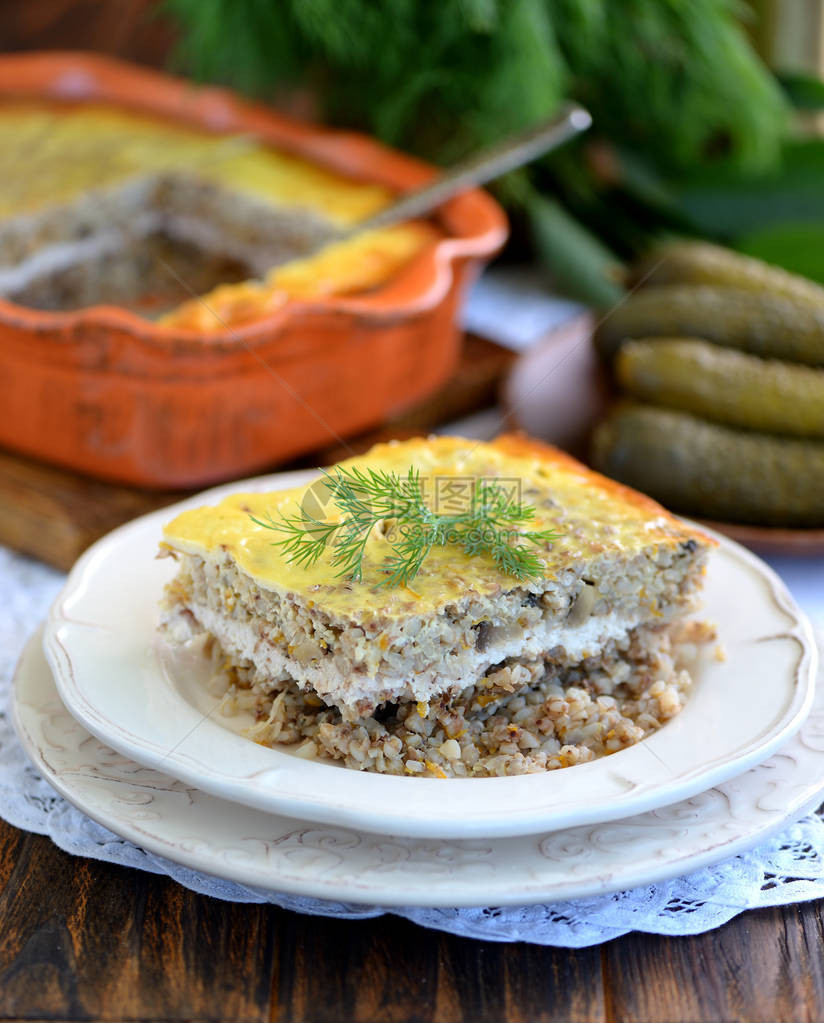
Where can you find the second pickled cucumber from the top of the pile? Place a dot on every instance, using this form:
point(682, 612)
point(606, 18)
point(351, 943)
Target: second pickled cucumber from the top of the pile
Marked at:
point(766, 325)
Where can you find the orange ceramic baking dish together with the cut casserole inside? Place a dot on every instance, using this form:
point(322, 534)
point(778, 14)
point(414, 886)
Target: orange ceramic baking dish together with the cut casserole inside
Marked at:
point(180, 300)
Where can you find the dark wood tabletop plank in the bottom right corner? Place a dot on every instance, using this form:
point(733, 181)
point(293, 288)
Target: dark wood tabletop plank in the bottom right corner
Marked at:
point(763, 966)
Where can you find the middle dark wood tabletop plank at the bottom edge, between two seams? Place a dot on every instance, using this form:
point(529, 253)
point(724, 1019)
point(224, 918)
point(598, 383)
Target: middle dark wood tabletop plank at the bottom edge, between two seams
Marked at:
point(392, 971)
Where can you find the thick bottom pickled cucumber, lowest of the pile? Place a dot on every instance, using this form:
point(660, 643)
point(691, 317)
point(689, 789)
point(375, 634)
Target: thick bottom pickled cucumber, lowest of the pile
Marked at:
point(702, 469)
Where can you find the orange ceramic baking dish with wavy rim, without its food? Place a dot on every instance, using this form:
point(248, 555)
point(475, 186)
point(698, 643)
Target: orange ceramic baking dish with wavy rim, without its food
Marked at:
point(109, 393)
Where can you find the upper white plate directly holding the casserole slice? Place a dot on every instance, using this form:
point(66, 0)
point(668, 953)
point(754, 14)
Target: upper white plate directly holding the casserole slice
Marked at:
point(100, 644)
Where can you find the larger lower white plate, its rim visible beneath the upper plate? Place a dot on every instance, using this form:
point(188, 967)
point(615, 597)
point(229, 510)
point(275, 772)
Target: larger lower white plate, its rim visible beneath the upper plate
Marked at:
point(231, 841)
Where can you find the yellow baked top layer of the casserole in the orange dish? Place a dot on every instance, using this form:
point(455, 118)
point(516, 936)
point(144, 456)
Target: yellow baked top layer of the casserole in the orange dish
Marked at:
point(52, 156)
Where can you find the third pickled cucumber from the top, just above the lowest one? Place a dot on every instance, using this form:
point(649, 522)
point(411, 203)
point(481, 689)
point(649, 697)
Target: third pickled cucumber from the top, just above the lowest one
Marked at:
point(725, 386)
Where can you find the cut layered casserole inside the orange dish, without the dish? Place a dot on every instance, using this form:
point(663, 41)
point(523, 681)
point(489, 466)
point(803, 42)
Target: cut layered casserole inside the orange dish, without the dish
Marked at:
point(110, 206)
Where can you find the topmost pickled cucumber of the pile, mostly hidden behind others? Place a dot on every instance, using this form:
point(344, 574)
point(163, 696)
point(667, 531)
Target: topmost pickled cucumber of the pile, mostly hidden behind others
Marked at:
point(704, 263)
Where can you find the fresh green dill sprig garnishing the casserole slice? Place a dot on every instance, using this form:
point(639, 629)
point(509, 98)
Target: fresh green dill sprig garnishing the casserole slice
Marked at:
point(492, 526)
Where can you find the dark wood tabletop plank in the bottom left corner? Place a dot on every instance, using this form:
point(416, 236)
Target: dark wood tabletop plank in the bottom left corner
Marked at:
point(81, 940)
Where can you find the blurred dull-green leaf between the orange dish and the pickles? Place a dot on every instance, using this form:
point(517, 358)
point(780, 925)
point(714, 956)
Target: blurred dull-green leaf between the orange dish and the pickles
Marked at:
point(581, 265)
